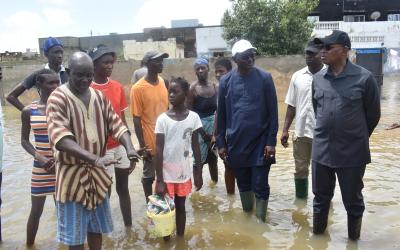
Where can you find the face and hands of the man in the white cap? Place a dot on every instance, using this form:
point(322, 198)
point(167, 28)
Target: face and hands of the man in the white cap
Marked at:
point(245, 65)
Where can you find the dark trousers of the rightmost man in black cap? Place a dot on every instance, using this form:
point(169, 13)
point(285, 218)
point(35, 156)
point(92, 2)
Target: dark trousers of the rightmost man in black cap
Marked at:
point(350, 182)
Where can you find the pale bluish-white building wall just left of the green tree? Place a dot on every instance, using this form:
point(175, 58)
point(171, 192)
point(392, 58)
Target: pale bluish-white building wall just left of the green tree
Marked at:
point(210, 43)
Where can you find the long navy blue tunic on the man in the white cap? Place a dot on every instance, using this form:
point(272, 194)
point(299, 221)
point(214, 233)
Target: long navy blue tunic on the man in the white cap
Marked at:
point(247, 116)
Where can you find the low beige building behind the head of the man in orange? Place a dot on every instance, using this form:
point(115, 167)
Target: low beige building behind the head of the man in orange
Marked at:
point(135, 50)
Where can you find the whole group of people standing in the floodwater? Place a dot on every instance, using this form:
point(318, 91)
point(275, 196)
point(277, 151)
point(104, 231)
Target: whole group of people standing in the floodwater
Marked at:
point(82, 140)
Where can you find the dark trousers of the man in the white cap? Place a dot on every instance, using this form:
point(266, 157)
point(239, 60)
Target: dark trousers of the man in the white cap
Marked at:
point(253, 179)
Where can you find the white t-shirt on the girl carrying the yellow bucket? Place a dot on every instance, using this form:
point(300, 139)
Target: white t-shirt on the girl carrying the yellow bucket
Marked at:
point(177, 162)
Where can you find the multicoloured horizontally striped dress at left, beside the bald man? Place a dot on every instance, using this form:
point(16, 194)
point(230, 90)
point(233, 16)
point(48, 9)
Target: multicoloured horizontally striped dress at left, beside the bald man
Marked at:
point(42, 183)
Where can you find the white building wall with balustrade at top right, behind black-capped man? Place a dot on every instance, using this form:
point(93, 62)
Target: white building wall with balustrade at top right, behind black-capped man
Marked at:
point(364, 34)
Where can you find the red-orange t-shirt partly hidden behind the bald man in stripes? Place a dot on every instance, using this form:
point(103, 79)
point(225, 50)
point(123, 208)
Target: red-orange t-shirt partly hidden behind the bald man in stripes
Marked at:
point(114, 91)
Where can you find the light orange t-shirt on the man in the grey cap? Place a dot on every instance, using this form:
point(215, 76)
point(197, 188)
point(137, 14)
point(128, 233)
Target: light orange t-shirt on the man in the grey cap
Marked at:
point(148, 101)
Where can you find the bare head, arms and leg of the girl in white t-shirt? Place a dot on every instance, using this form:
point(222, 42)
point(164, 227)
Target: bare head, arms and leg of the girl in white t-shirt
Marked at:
point(178, 112)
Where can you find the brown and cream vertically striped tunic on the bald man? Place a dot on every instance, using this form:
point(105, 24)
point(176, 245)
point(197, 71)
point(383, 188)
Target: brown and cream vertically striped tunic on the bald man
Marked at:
point(67, 115)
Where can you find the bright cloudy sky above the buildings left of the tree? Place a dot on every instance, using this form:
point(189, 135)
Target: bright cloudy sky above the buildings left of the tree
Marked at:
point(22, 24)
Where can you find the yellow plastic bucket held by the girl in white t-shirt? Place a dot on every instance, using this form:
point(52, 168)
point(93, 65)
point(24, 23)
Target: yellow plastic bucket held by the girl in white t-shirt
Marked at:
point(160, 225)
